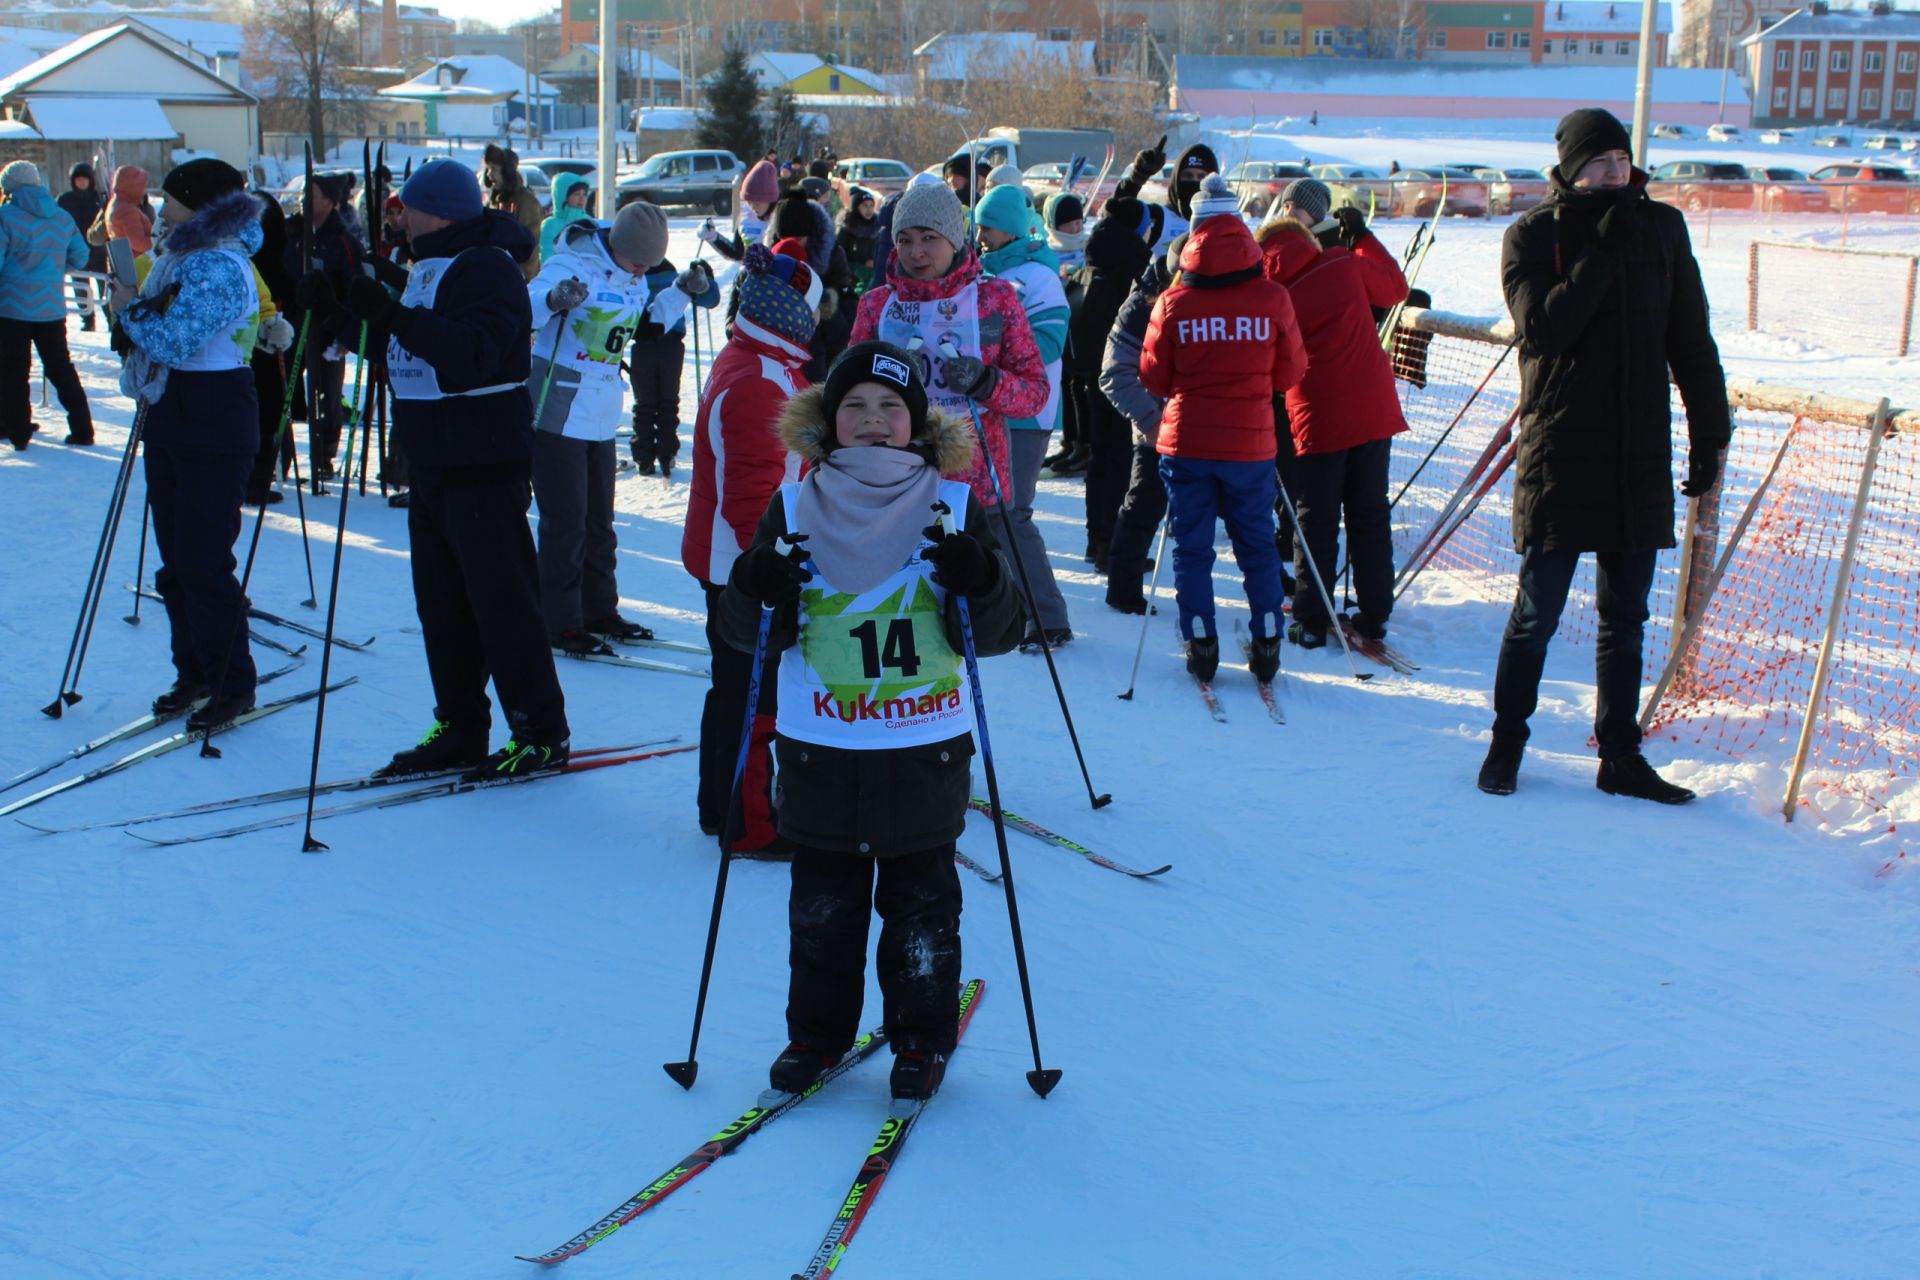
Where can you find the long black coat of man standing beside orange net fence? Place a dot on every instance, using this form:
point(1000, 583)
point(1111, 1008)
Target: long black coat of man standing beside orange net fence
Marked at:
point(1600, 331)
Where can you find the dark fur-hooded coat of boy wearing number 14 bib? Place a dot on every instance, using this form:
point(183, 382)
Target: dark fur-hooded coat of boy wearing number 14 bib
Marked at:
point(878, 803)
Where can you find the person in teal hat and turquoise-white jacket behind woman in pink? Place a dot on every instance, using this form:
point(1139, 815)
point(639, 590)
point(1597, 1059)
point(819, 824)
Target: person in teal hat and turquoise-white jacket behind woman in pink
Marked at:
point(1013, 252)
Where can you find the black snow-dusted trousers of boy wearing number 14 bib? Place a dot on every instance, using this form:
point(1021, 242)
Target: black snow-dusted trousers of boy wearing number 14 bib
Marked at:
point(828, 911)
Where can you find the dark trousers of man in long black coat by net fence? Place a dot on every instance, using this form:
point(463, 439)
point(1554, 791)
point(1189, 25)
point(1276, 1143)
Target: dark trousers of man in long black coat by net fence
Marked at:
point(1623, 581)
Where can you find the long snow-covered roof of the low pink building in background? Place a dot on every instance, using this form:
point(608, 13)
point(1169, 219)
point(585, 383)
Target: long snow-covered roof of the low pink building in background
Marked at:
point(1441, 80)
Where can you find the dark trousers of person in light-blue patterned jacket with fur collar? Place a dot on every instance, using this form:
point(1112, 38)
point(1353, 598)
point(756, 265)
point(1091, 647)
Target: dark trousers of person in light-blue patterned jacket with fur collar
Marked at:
point(197, 519)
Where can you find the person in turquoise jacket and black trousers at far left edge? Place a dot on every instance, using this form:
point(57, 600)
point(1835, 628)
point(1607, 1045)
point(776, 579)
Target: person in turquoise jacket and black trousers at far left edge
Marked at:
point(39, 247)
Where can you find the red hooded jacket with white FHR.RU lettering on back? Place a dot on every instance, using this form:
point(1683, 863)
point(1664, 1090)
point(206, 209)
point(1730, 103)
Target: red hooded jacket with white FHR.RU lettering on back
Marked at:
point(1222, 344)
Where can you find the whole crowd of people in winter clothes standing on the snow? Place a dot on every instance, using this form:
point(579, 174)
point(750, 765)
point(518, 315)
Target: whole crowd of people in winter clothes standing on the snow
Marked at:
point(913, 356)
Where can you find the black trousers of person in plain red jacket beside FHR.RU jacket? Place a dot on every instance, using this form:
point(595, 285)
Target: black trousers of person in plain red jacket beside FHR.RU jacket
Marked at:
point(1326, 485)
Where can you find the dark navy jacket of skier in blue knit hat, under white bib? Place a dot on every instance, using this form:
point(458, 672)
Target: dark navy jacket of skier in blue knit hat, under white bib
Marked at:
point(475, 335)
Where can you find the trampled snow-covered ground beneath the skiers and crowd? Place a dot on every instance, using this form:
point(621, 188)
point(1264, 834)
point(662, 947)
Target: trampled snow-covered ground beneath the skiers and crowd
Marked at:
point(1374, 1024)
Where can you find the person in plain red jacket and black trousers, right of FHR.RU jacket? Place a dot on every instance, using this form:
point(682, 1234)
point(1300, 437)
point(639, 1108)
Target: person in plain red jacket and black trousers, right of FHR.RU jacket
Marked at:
point(1345, 412)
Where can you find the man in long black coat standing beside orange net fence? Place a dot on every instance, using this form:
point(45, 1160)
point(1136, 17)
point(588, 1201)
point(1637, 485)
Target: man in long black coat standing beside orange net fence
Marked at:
point(1608, 300)
